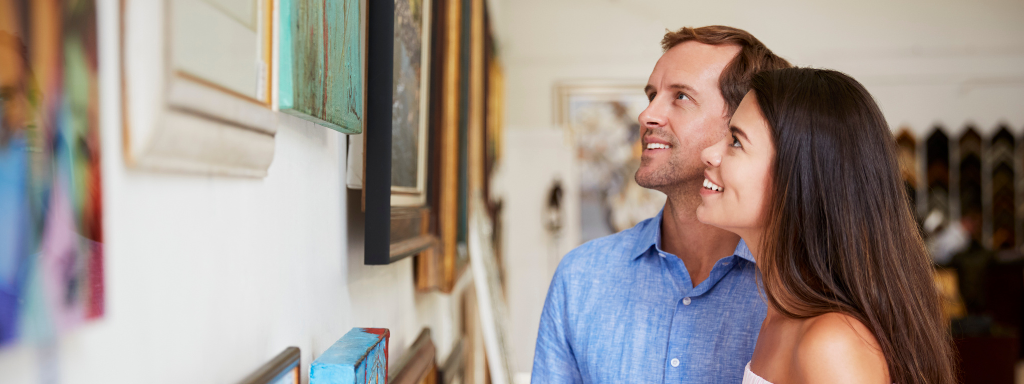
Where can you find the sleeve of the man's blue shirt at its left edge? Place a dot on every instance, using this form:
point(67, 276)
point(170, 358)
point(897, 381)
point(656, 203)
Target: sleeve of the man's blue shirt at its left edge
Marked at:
point(553, 359)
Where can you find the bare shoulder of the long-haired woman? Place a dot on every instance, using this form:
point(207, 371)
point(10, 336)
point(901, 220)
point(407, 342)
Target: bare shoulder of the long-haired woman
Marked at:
point(838, 349)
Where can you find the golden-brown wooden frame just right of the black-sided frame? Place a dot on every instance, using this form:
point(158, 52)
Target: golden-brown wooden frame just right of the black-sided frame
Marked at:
point(457, 141)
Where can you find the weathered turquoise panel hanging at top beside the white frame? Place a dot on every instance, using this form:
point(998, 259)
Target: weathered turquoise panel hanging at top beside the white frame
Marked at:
point(322, 66)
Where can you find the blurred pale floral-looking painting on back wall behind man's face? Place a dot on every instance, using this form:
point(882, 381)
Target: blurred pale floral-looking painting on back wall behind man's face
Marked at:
point(603, 120)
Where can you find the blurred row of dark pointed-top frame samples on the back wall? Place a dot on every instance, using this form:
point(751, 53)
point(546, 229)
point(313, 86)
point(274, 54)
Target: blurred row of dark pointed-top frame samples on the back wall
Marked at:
point(967, 176)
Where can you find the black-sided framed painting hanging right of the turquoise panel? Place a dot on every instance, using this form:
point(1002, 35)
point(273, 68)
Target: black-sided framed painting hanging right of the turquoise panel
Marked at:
point(395, 183)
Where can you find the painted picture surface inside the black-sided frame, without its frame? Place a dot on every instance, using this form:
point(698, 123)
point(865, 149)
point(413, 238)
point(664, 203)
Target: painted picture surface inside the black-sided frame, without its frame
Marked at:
point(410, 97)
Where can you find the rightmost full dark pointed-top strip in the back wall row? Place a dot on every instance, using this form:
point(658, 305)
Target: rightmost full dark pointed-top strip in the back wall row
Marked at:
point(1004, 190)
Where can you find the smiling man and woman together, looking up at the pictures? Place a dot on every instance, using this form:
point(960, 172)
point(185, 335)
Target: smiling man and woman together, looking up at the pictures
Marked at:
point(783, 189)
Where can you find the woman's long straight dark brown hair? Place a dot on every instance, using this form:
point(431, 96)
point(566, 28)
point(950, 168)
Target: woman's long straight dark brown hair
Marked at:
point(840, 236)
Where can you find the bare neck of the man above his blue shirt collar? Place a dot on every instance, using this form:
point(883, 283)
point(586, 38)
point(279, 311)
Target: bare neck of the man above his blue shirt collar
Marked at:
point(698, 245)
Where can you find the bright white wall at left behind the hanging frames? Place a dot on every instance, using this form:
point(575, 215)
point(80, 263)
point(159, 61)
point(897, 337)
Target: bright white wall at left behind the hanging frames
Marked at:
point(208, 278)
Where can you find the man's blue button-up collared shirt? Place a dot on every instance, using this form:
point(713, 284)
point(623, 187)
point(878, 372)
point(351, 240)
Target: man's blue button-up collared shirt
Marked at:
point(620, 310)
